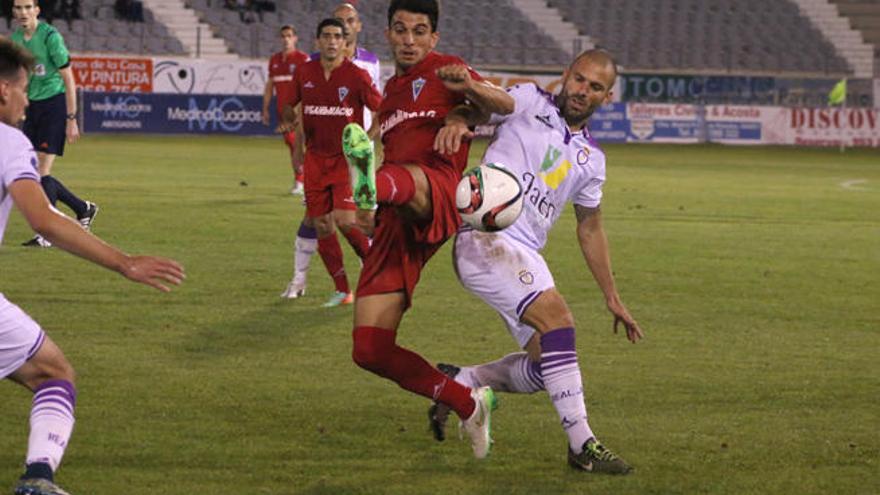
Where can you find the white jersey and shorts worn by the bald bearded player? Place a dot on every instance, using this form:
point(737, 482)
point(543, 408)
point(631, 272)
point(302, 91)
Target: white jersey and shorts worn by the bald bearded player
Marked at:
point(555, 167)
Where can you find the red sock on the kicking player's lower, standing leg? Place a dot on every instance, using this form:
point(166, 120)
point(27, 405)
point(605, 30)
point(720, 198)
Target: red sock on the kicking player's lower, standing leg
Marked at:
point(376, 351)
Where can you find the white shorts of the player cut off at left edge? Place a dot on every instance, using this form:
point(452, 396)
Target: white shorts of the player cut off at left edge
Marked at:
point(20, 337)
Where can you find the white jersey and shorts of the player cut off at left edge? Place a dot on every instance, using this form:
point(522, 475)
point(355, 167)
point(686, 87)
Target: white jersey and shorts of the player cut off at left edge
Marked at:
point(20, 336)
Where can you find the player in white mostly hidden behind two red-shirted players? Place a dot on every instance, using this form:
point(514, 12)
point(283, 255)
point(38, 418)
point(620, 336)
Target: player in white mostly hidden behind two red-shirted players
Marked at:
point(306, 237)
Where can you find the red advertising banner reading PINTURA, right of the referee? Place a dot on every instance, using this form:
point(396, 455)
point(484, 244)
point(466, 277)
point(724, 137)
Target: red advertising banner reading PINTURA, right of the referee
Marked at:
point(111, 74)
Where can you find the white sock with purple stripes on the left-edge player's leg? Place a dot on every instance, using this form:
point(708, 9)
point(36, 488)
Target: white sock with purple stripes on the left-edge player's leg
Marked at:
point(51, 422)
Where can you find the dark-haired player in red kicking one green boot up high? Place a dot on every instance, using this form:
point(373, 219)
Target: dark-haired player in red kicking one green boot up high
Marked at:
point(416, 191)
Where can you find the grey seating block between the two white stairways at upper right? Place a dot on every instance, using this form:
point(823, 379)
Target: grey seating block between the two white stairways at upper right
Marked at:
point(716, 35)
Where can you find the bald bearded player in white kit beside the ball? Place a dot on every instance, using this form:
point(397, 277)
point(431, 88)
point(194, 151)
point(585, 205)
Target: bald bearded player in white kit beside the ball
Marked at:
point(546, 144)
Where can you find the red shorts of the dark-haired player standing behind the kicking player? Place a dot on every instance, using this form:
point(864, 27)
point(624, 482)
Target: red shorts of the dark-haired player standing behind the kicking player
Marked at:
point(327, 184)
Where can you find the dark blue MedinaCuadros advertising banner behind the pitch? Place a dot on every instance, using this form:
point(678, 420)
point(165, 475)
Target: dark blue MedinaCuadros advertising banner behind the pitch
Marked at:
point(174, 114)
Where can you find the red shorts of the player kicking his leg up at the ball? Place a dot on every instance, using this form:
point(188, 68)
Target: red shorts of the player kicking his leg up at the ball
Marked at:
point(401, 247)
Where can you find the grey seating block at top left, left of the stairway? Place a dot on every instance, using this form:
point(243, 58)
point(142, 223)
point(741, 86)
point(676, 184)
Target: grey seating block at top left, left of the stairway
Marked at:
point(99, 30)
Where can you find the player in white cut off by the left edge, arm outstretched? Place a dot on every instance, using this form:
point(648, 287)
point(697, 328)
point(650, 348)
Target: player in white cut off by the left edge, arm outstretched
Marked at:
point(27, 355)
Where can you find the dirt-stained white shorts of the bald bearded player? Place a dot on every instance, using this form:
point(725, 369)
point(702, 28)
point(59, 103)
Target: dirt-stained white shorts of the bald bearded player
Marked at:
point(503, 273)
